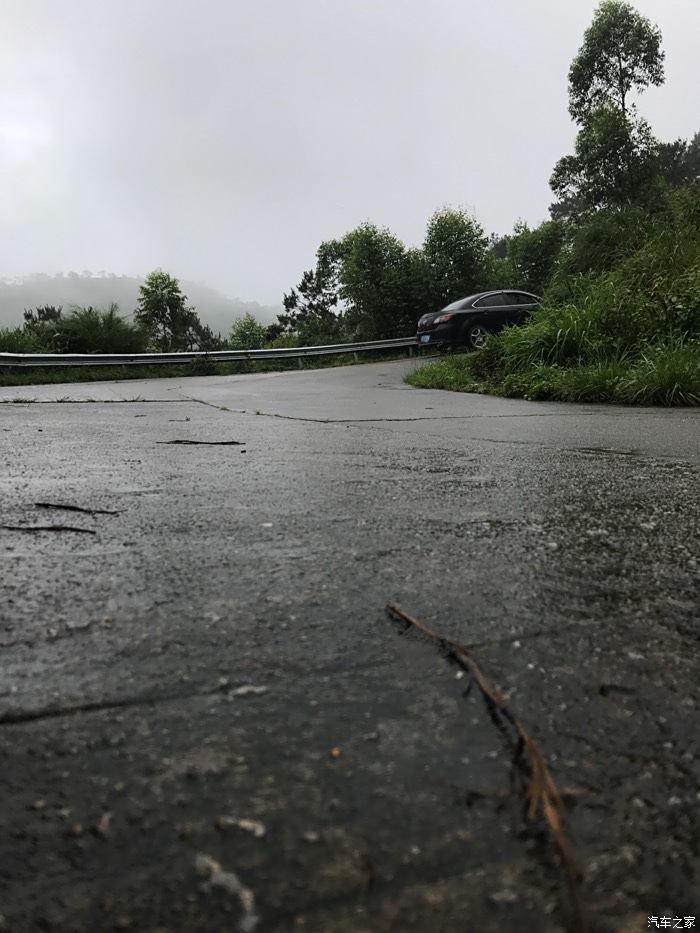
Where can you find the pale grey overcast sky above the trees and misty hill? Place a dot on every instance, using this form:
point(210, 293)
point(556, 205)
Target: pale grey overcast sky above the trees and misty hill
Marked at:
point(225, 139)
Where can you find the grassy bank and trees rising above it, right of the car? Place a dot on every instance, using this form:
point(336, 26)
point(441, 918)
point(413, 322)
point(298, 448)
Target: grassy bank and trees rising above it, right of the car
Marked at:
point(620, 320)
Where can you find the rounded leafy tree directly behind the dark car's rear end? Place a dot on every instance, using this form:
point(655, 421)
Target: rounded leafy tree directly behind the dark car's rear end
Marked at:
point(454, 251)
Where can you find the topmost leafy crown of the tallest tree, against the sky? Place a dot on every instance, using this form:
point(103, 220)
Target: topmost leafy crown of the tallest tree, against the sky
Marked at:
point(621, 52)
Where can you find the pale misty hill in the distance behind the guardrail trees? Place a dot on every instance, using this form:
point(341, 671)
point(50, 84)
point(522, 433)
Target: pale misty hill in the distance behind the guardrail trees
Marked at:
point(101, 290)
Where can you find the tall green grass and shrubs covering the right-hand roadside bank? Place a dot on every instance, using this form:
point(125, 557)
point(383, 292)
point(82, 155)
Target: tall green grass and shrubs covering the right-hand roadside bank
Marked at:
point(630, 333)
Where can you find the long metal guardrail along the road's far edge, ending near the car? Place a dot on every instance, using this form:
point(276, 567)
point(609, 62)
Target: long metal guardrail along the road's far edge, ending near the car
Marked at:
point(220, 356)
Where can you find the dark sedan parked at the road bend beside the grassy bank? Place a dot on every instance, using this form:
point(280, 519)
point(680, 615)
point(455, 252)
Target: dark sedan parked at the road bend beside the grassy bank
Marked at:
point(467, 321)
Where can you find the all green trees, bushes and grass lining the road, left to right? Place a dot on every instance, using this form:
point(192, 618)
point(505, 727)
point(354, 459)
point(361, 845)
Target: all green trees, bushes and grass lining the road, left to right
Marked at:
point(617, 264)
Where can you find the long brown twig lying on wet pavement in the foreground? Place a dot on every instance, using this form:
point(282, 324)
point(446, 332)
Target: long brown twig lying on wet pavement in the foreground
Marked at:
point(541, 791)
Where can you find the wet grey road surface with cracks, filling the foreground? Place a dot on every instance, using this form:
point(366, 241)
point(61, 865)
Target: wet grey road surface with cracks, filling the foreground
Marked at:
point(213, 647)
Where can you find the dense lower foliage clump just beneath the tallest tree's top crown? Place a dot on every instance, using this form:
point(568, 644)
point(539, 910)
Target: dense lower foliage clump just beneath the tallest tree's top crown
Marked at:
point(615, 162)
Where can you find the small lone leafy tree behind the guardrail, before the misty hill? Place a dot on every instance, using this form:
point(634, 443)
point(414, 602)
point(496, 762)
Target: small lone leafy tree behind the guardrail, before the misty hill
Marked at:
point(171, 324)
